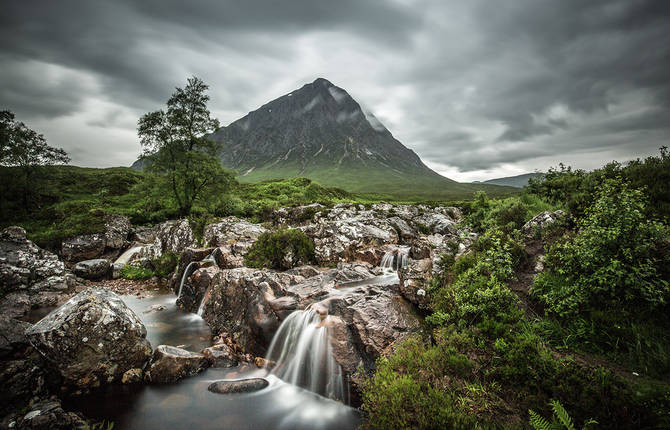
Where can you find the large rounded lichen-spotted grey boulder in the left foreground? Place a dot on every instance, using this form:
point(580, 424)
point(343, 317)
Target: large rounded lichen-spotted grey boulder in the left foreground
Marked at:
point(92, 339)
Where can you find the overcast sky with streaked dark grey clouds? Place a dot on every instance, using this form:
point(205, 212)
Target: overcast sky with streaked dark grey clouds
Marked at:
point(479, 89)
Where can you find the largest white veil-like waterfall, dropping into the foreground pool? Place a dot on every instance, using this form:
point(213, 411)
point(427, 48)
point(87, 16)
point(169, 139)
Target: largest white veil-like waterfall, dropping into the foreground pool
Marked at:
point(302, 355)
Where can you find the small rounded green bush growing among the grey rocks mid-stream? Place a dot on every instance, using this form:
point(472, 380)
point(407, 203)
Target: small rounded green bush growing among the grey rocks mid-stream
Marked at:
point(281, 250)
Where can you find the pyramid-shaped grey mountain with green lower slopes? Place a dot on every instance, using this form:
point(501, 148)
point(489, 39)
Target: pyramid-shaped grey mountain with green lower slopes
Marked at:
point(320, 132)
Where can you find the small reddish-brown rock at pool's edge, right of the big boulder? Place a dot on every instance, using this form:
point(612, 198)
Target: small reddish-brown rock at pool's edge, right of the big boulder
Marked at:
point(170, 364)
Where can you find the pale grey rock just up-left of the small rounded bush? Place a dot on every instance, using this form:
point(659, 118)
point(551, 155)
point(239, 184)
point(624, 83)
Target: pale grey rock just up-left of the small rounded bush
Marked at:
point(233, 231)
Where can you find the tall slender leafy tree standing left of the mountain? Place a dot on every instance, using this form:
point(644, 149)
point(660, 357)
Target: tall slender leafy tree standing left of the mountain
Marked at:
point(176, 149)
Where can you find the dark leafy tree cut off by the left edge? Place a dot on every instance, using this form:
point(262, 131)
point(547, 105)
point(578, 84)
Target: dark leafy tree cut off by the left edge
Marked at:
point(27, 150)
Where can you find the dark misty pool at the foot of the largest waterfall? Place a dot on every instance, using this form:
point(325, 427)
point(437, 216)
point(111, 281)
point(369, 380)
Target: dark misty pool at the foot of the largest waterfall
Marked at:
point(189, 405)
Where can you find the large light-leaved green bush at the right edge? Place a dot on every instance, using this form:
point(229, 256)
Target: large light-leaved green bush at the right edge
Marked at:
point(617, 260)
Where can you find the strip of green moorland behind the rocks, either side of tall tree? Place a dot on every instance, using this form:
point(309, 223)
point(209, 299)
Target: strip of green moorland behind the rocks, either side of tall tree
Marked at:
point(67, 200)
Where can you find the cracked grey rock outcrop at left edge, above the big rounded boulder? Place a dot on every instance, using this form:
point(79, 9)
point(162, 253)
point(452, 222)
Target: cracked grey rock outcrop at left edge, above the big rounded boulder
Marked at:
point(29, 276)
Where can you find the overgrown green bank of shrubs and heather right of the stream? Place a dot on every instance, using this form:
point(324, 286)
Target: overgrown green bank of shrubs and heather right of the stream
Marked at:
point(502, 349)
